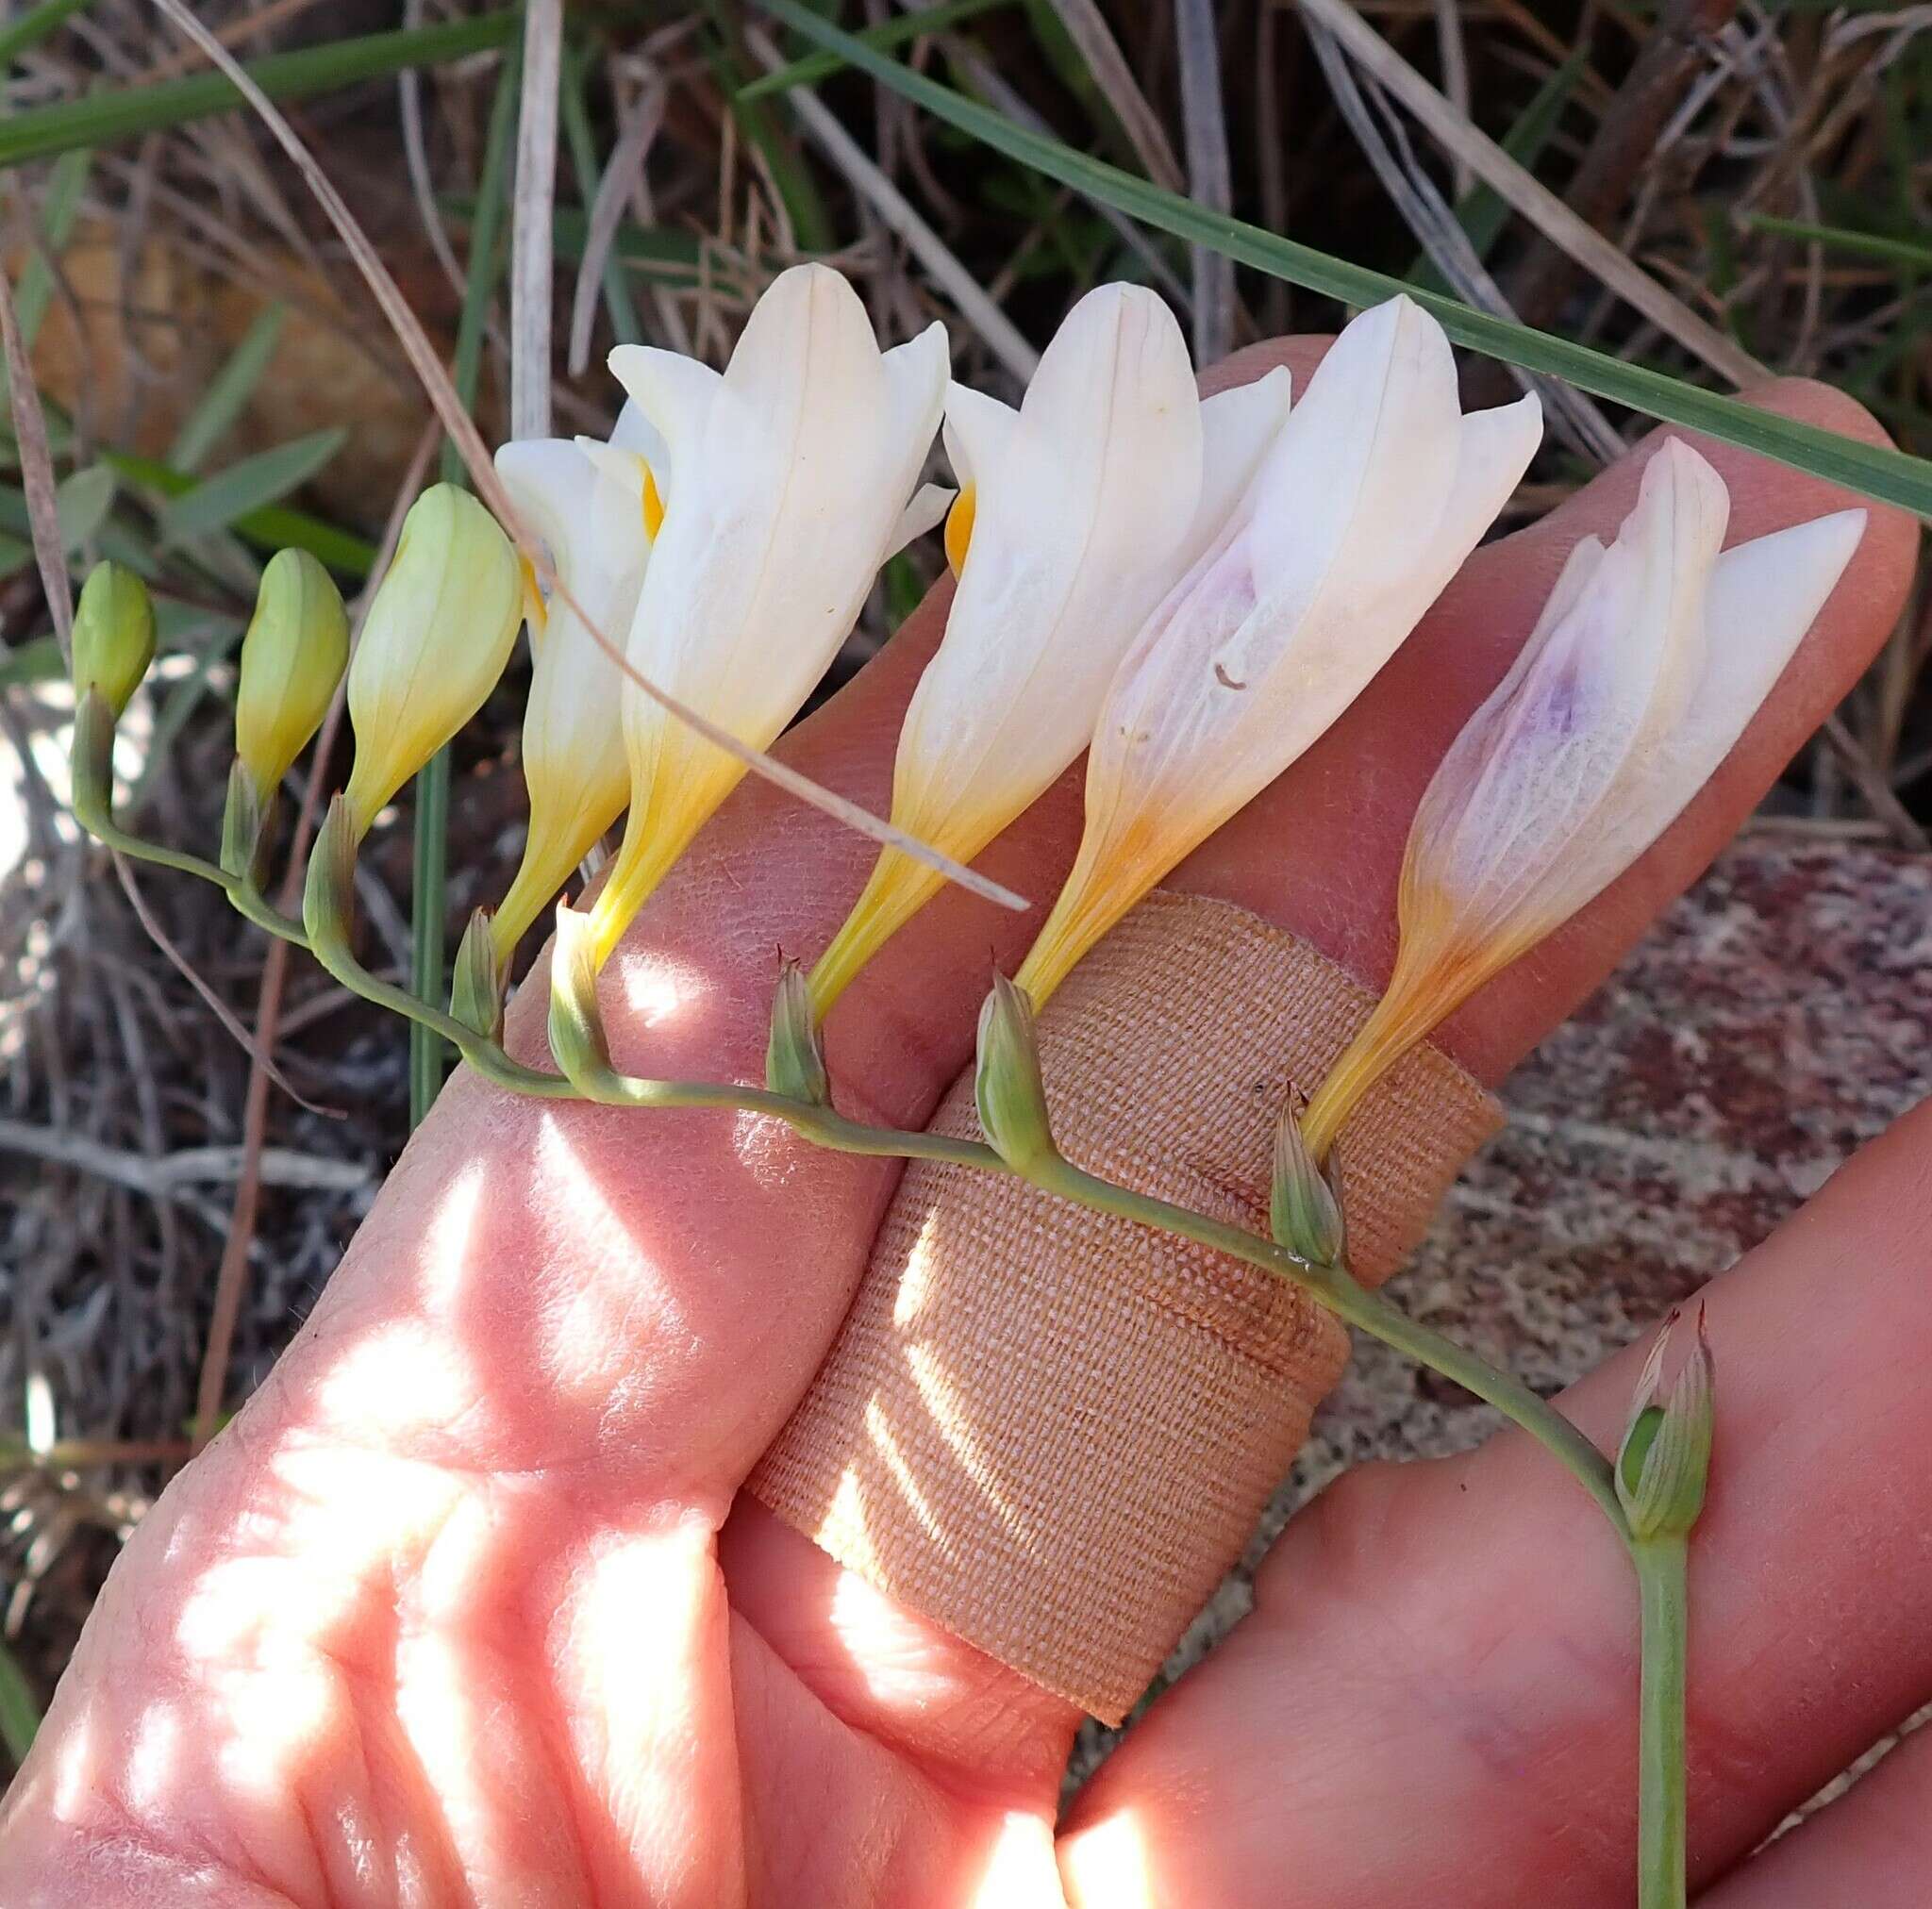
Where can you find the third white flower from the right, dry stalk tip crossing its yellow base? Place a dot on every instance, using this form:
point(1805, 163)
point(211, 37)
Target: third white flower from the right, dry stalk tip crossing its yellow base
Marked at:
point(1075, 517)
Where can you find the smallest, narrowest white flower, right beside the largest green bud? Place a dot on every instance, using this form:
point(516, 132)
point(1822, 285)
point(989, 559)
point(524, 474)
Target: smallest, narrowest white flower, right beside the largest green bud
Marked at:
point(596, 509)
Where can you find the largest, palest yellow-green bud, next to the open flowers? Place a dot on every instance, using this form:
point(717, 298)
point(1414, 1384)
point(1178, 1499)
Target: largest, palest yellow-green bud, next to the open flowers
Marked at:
point(438, 639)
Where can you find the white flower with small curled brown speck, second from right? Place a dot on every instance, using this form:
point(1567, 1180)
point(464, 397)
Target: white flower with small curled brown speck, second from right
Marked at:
point(1363, 509)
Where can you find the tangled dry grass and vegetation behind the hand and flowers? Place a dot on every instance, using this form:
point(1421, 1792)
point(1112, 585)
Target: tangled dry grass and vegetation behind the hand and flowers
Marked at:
point(217, 384)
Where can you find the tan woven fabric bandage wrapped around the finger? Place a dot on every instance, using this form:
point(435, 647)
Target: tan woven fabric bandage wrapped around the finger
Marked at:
point(1052, 1431)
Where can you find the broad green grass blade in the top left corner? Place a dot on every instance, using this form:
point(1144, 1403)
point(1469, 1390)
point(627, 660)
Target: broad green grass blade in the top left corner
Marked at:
point(127, 113)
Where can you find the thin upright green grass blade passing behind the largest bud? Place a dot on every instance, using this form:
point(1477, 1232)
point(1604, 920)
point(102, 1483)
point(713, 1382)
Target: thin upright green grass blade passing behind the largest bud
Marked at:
point(432, 847)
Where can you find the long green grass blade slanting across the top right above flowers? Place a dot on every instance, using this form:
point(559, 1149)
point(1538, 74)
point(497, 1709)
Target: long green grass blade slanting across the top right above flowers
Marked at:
point(1865, 469)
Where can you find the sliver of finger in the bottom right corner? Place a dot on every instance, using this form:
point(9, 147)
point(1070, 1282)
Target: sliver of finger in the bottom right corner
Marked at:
point(1873, 1846)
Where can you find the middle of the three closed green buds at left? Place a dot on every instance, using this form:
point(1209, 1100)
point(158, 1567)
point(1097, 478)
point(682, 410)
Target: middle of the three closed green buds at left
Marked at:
point(293, 658)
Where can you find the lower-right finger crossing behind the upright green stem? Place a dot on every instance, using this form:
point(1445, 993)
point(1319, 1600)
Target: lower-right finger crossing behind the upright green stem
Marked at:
point(1436, 1695)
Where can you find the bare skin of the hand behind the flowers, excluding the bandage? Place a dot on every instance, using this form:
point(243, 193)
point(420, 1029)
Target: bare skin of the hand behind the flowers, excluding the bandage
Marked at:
point(467, 1605)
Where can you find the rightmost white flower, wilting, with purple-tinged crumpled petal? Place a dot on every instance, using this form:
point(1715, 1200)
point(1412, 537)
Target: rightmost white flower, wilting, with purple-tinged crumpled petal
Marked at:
point(1639, 677)
